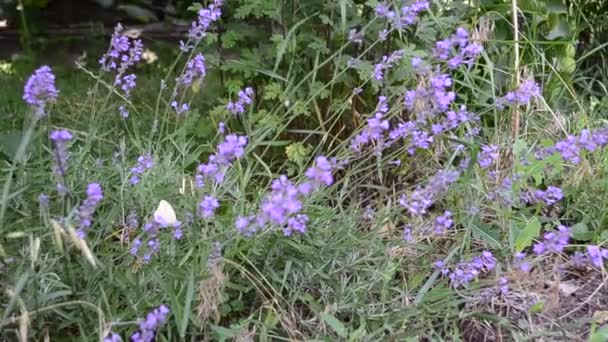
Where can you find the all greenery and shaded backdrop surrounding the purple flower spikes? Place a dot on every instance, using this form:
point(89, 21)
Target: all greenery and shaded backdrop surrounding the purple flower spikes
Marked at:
point(352, 276)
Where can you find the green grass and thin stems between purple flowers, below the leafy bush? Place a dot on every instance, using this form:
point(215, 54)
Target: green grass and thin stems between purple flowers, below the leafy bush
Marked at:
point(351, 276)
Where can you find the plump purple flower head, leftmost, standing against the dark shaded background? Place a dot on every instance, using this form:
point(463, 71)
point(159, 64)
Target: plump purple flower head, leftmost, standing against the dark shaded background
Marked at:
point(40, 90)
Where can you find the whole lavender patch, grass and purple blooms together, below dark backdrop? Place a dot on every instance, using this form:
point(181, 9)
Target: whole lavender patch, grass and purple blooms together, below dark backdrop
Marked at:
point(386, 202)
